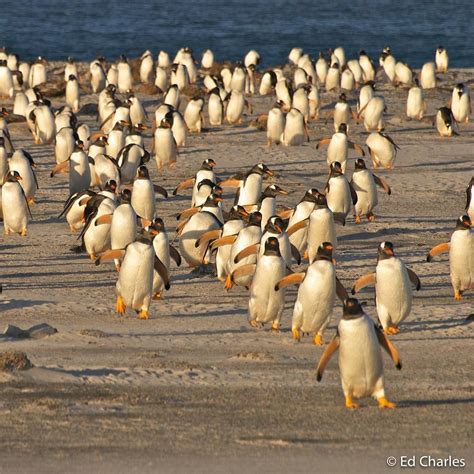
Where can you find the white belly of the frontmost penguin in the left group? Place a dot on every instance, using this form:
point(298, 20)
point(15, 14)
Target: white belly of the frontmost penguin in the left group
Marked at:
point(135, 279)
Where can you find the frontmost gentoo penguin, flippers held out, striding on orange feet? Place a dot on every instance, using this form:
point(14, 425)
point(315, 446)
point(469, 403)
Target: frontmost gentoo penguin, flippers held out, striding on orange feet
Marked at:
point(360, 357)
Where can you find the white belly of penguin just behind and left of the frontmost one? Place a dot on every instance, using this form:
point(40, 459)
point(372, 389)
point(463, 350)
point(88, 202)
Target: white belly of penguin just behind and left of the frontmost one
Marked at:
point(316, 296)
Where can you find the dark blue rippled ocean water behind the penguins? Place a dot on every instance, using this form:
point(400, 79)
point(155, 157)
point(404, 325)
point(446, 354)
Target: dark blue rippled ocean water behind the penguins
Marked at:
point(87, 28)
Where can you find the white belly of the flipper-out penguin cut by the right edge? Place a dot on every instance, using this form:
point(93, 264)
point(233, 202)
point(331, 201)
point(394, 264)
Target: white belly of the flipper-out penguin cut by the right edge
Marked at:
point(461, 260)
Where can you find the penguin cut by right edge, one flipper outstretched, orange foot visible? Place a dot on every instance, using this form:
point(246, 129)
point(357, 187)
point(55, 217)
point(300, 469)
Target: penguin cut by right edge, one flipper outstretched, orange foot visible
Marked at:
point(461, 256)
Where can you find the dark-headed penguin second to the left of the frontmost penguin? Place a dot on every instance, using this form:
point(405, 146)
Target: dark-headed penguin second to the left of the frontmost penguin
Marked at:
point(266, 304)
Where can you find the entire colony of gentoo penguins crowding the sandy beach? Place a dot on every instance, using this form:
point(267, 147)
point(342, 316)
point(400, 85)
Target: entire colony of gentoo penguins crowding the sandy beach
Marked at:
point(253, 243)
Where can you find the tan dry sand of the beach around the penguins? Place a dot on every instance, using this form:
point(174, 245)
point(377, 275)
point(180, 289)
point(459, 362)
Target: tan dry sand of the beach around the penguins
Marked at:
point(195, 389)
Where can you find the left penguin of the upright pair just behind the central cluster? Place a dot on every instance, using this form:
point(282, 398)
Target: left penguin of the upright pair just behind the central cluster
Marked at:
point(339, 192)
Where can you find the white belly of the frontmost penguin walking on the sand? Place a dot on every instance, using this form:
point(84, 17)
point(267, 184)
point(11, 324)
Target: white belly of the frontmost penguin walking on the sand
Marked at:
point(360, 359)
